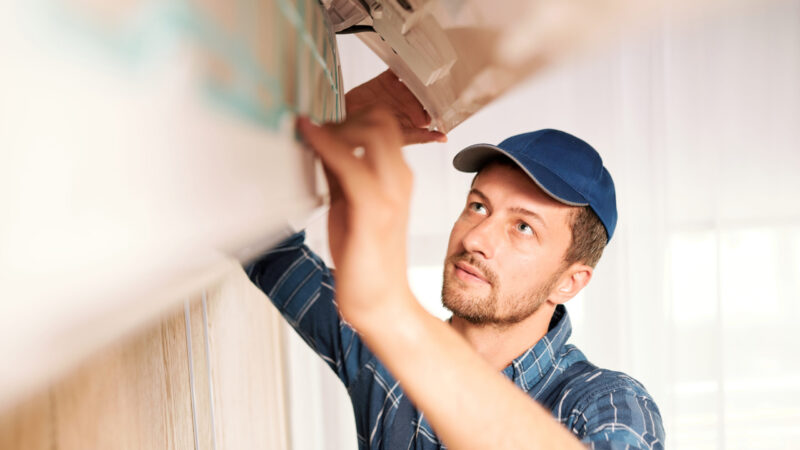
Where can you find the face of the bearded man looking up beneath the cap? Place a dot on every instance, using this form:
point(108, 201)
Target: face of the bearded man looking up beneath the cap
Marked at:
point(506, 249)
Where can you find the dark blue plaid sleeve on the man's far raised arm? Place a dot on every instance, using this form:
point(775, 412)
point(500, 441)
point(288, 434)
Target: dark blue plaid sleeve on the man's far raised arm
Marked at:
point(301, 286)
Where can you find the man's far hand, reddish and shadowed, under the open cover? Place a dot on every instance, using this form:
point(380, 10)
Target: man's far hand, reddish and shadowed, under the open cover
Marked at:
point(387, 91)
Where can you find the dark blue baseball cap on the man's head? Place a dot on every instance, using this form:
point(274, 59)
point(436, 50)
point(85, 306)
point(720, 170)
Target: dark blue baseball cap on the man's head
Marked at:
point(563, 166)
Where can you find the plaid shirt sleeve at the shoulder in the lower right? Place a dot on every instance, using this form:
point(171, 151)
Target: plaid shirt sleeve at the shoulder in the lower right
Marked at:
point(623, 418)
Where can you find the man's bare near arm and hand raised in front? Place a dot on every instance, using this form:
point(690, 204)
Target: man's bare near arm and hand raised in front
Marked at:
point(468, 404)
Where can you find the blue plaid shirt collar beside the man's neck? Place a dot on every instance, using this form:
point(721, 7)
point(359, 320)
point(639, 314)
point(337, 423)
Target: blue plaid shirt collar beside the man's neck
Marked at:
point(527, 369)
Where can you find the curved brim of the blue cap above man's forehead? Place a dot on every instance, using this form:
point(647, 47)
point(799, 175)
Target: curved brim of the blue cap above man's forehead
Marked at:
point(472, 158)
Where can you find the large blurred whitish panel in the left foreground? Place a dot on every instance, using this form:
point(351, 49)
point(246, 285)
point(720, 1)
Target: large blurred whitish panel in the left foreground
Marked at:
point(147, 147)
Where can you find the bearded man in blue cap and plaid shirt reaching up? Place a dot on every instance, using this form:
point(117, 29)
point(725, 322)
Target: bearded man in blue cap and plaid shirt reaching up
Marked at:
point(539, 213)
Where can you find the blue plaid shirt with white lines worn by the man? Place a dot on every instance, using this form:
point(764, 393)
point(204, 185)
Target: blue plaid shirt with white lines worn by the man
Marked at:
point(603, 408)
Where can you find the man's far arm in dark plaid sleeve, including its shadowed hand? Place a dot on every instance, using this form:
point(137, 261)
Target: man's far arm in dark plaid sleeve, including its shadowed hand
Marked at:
point(298, 282)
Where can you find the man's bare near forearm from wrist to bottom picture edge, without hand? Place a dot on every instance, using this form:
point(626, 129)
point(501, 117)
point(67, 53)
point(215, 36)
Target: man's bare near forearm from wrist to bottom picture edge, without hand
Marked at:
point(468, 404)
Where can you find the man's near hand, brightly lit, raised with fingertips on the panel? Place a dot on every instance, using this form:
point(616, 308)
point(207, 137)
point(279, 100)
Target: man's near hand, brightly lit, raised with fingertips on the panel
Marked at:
point(370, 187)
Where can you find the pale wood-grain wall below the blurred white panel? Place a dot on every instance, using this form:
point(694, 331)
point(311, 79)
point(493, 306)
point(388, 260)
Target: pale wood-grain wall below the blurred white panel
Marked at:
point(208, 376)
